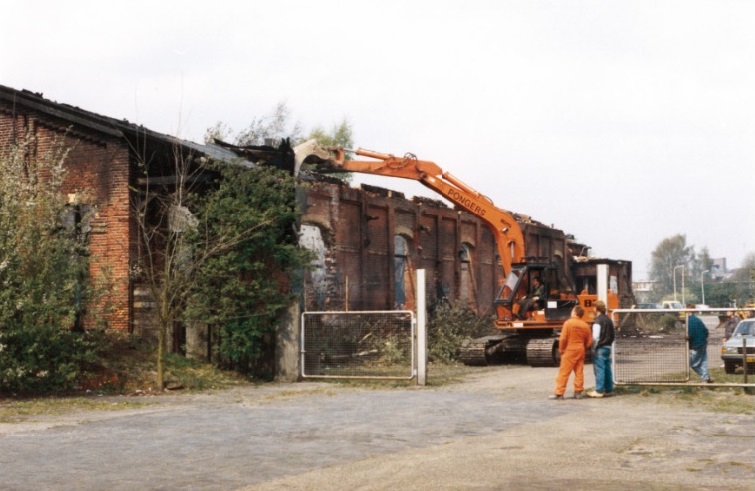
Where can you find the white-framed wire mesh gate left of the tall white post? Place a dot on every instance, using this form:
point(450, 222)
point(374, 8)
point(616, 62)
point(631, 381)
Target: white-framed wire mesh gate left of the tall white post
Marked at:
point(366, 344)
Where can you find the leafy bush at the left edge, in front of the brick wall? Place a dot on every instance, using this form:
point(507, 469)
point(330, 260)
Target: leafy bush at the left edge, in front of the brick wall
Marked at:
point(44, 280)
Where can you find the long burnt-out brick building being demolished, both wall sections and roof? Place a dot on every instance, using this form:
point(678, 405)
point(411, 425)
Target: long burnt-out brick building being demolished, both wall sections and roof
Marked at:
point(368, 241)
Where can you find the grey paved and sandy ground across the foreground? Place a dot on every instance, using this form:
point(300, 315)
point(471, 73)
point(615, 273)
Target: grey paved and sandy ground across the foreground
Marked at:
point(496, 430)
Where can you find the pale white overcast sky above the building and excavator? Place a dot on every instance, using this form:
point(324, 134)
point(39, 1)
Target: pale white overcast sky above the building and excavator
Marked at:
point(619, 122)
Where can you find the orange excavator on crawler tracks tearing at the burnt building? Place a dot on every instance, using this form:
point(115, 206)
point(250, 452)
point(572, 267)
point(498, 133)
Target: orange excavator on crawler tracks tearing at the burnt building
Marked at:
point(526, 327)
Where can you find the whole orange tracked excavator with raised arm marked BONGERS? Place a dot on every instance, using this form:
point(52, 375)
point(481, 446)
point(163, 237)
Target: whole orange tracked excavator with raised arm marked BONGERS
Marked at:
point(539, 345)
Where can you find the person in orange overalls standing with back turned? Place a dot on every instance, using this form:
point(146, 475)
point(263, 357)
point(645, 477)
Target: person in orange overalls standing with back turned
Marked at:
point(576, 338)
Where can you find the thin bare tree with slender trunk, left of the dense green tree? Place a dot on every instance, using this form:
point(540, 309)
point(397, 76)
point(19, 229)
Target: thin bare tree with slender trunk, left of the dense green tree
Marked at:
point(171, 249)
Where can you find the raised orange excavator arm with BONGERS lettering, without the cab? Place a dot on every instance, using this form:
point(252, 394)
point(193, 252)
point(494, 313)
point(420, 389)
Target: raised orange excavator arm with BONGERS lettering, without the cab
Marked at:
point(505, 229)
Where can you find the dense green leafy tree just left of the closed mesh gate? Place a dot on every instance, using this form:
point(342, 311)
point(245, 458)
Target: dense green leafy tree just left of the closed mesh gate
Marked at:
point(242, 291)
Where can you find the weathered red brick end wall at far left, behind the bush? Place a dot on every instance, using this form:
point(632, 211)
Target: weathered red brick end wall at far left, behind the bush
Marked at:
point(98, 176)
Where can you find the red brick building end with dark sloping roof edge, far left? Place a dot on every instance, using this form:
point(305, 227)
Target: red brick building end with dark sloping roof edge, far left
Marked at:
point(103, 172)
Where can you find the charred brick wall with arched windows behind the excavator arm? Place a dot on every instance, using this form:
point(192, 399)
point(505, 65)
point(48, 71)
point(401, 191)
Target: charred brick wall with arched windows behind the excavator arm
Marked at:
point(370, 241)
